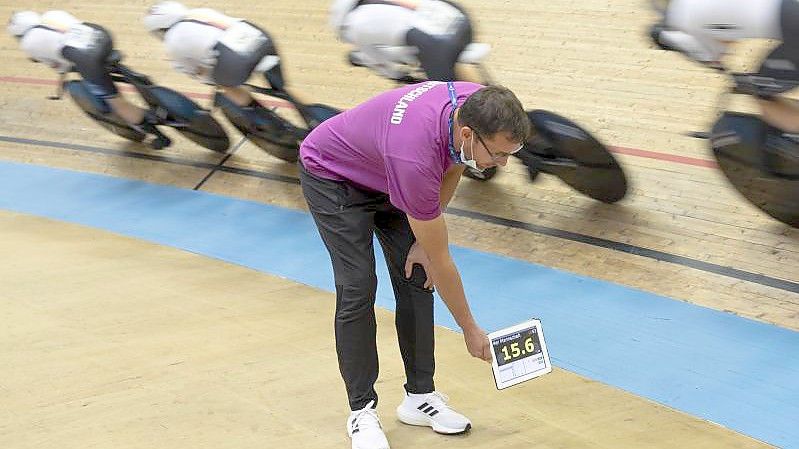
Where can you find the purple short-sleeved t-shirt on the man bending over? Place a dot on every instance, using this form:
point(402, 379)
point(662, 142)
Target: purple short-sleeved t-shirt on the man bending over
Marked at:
point(396, 143)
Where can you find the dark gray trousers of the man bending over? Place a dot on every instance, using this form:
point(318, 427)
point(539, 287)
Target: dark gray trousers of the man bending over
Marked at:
point(347, 218)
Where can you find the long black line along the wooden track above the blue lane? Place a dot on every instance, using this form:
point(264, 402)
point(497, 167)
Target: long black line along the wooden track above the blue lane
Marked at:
point(730, 272)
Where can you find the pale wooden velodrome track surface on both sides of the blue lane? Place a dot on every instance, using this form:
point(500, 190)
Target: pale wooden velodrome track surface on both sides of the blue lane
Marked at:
point(681, 232)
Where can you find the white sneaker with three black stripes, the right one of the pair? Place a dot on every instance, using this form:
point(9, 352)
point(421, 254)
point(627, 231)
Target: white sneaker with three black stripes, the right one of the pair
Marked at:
point(431, 410)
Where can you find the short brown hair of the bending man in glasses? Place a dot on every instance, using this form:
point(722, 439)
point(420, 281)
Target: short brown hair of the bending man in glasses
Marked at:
point(495, 109)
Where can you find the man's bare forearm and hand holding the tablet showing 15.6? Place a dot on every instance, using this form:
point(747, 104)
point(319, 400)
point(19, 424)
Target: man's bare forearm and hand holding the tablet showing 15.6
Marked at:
point(432, 236)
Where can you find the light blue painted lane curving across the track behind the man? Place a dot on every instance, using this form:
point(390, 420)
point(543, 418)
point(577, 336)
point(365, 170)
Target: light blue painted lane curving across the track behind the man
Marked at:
point(737, 372)
